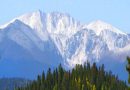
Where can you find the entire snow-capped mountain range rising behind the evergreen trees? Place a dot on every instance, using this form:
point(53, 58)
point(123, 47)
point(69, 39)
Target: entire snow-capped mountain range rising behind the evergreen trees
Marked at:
point(37, 39)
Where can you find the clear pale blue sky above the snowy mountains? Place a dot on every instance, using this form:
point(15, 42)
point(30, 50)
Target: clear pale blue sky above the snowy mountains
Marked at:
point(115, 12)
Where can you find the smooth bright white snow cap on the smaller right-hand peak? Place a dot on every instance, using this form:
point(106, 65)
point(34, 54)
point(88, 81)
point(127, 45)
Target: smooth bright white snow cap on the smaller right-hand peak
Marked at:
point(98, 26)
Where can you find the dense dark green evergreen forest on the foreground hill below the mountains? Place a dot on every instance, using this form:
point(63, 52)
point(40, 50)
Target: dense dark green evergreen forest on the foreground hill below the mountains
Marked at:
point(82, 77)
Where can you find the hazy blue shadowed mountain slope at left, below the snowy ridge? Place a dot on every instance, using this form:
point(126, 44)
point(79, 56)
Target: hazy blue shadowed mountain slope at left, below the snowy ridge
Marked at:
point(22, 53)
